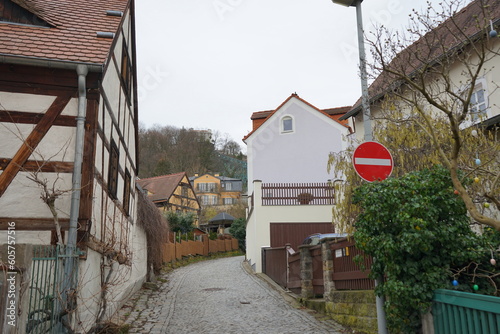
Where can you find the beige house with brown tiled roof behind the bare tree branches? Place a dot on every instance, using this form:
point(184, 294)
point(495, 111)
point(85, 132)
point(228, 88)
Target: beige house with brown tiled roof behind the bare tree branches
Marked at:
point(457, 57)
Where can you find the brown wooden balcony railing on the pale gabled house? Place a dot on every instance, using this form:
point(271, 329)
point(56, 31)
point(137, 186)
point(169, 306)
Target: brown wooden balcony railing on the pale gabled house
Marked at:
point(297, 194)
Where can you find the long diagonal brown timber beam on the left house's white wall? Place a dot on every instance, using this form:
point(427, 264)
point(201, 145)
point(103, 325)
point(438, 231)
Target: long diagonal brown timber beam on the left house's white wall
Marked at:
point(32, 142)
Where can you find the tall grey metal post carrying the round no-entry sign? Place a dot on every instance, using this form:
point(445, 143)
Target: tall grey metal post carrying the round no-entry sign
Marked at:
point(365, 104)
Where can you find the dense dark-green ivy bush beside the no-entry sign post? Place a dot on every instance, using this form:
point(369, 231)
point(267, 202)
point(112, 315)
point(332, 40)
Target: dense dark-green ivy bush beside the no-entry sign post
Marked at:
point(417, 230)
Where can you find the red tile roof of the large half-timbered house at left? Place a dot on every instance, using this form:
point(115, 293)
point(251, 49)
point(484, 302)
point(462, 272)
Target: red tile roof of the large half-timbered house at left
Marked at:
point(72, 35)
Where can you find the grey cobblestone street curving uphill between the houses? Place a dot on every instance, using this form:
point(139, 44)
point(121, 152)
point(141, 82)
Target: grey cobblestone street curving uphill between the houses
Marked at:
point(218, 296)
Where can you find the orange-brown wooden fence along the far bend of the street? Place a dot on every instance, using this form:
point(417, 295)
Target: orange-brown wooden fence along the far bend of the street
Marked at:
point(172, 251)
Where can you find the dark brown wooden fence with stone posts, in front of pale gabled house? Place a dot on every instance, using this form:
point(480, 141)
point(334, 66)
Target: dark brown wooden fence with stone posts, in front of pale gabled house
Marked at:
point(288, 269)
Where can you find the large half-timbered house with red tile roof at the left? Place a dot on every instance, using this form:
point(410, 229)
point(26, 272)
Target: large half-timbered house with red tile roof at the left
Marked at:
point(68, 147)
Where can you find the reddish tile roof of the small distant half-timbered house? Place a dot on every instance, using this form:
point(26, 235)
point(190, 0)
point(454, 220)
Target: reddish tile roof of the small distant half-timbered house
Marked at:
point(160, 188)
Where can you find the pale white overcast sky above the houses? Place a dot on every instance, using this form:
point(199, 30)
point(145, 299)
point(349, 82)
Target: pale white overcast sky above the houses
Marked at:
point(209, 64)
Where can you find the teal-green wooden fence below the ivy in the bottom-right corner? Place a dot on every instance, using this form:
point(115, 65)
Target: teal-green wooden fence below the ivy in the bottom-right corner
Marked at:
point(458, 312)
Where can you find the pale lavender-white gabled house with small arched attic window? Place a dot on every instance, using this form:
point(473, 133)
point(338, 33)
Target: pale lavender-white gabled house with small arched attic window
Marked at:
point(288, 181)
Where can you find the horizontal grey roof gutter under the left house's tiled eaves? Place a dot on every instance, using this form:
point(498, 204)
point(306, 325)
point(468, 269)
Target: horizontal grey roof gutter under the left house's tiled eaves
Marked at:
point(49, 63)
